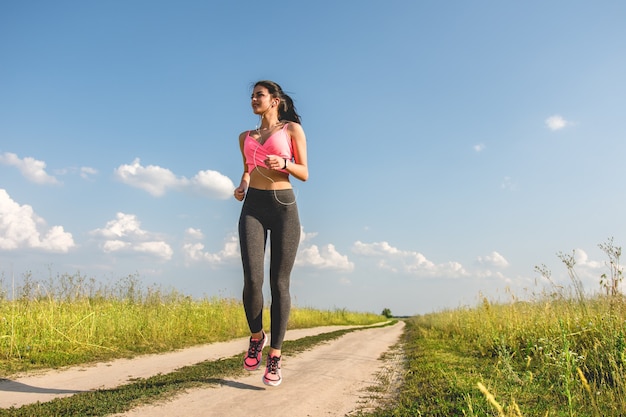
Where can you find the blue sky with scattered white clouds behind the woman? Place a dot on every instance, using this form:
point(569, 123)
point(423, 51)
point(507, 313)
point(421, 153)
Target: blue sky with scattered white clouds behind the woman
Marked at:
point(453, 146)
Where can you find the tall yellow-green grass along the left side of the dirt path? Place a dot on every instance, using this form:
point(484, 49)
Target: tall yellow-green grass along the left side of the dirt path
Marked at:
point(70, 319)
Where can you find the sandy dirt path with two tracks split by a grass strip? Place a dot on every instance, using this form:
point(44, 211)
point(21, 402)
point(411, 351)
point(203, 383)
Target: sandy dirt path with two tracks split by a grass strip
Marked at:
point(326, 381)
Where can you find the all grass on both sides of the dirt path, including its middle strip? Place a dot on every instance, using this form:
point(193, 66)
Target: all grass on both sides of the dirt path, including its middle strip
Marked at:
point(563, 353)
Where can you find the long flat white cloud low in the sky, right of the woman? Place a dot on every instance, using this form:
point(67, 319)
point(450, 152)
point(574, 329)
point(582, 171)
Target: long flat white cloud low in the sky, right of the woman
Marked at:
point(411, 262)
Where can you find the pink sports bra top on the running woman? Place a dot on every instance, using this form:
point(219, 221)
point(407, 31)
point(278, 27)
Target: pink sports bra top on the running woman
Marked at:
point(278, 143)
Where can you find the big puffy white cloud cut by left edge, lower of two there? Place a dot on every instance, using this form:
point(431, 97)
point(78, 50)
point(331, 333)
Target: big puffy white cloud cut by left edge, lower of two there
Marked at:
point(20, 227)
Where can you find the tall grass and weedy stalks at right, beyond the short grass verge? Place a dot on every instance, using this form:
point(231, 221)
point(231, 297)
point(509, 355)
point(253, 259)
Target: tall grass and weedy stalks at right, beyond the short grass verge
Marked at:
point(567, 343)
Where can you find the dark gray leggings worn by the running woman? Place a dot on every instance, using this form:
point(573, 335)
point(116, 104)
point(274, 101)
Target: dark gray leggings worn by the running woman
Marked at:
point(263, 211)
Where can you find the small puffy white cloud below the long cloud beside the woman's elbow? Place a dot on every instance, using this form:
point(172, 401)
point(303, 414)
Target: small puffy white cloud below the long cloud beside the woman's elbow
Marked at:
point(124, 235)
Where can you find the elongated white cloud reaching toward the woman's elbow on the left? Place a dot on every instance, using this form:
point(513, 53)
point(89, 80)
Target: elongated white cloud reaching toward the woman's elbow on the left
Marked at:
point(157, 181)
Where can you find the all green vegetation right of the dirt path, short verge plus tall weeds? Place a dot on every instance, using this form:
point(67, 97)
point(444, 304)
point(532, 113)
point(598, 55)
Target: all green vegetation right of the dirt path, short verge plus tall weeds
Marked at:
point(561, 354)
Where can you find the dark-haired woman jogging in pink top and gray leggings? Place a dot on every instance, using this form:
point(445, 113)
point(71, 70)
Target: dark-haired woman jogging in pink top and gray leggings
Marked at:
point(271, 152)
